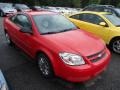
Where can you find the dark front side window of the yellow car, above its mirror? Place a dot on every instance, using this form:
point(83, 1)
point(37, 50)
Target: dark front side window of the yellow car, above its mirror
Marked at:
point(92, 18)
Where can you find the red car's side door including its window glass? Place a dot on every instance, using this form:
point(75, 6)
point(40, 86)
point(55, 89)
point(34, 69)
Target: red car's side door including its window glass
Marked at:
point(24, 40)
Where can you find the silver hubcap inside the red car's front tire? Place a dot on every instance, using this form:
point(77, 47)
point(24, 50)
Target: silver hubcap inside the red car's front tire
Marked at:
point(43, 66)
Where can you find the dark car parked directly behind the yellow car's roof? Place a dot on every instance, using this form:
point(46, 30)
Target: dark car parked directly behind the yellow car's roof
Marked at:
point(103, 8)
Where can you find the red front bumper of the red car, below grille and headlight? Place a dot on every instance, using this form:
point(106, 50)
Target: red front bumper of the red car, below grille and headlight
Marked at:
point(84, 72)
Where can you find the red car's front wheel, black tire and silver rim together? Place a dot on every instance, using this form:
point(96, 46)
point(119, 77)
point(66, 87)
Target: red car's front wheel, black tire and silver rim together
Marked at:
point(45, 66)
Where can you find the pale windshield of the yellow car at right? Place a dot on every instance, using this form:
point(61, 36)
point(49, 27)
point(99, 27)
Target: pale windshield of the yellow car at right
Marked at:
point(113, 19)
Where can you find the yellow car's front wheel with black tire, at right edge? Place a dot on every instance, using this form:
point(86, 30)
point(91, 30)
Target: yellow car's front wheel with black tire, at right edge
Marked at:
point(115, 45)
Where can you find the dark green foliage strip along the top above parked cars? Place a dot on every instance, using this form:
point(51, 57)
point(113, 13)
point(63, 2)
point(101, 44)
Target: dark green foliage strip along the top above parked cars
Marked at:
point(66, 3)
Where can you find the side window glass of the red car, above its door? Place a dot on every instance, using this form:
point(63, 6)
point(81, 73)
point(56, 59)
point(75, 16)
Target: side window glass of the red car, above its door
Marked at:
point(22, 20)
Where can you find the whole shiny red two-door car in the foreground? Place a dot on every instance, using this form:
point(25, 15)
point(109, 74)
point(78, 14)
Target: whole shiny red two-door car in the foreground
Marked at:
point(60, 48)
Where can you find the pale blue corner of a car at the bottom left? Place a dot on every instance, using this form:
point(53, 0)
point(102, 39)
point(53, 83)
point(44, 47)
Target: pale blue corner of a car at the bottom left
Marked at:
point(3, 82)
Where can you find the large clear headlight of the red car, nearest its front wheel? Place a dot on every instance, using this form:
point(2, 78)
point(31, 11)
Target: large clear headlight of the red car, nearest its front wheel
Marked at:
point(71, 59)
